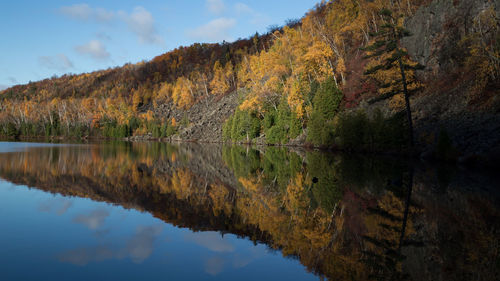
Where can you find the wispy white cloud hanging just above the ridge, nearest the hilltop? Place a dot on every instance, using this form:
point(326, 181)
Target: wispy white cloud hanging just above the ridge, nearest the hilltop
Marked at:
point(215, 31)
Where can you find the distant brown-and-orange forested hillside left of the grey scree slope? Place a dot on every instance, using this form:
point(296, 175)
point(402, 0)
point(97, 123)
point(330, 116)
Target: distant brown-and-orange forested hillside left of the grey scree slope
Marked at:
point(120, 102)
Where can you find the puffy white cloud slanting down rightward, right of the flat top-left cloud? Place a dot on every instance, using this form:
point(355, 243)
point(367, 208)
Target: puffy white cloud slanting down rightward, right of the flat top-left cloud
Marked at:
point(141, 22)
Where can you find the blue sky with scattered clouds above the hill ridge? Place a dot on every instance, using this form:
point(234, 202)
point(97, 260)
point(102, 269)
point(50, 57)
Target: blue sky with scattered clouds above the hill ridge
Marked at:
point(45, 38)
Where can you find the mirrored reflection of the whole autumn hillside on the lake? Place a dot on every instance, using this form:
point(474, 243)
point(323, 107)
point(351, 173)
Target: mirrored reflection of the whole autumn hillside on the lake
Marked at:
point(342, 217)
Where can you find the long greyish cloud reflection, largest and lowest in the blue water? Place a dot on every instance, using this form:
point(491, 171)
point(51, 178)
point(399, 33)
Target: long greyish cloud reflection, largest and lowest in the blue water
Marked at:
point(138, 249)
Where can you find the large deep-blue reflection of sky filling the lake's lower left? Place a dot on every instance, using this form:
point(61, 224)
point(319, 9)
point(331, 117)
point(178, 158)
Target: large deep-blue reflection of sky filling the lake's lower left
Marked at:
point(42, 234)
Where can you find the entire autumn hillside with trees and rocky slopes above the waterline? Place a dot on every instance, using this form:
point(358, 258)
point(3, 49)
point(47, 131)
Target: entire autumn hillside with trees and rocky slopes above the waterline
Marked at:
point(343, 76)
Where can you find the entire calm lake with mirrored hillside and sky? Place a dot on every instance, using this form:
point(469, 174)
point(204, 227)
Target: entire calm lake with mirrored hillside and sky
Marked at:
point(151, 211)
